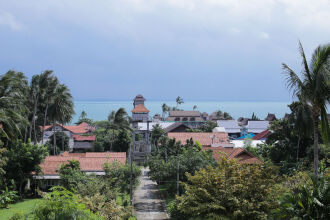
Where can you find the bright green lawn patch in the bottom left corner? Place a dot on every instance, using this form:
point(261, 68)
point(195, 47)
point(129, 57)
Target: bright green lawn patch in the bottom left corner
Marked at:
point(26, 206)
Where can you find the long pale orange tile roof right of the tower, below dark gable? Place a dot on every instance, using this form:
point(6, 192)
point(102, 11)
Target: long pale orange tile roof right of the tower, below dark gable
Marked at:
point(204, 138)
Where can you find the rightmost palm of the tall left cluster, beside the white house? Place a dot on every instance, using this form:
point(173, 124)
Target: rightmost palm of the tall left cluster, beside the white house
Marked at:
point(61, 109)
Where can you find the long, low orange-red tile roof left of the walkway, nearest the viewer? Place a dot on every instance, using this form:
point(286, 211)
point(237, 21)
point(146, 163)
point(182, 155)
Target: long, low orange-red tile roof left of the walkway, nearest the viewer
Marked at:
point(93, 161)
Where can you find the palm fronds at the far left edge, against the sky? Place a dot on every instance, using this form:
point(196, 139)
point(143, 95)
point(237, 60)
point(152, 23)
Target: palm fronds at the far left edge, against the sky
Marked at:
point(13, 109)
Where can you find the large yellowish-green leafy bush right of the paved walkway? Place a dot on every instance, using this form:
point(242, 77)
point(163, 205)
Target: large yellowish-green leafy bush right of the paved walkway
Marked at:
point(231, 190)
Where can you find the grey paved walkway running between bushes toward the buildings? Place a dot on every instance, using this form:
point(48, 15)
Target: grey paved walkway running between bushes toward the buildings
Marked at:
point(146, 200)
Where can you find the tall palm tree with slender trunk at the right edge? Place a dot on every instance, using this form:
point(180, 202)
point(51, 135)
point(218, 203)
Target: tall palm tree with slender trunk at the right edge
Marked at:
point(313, 90)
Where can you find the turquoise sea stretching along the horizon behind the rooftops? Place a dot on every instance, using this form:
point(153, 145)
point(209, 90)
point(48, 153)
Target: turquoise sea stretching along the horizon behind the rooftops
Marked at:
point(99, 110)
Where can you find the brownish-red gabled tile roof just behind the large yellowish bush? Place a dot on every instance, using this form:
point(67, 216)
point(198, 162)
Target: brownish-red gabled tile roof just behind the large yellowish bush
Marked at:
point(240, 154)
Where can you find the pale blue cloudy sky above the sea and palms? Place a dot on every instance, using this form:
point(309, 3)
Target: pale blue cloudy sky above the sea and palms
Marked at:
point(224, 50)
